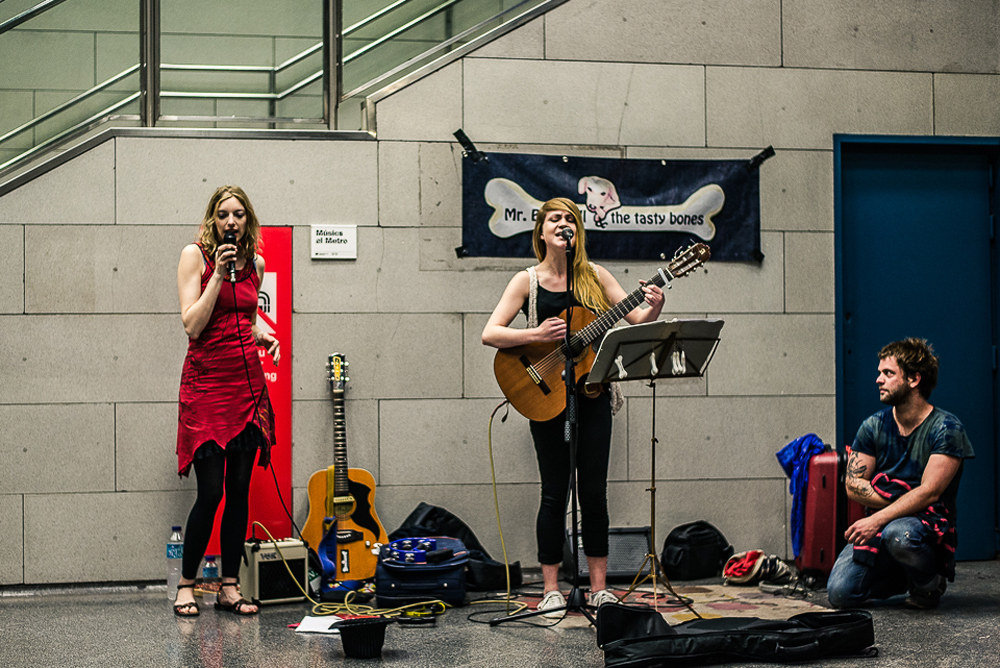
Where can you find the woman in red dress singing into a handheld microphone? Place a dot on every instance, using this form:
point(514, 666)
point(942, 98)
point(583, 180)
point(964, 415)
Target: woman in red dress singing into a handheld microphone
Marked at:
point(224, 414)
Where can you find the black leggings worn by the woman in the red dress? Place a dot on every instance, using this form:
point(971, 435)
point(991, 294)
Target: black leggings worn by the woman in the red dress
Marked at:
point(227, 470)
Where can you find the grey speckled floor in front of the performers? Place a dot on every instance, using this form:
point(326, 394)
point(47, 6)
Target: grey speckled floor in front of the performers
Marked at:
point(133, 626)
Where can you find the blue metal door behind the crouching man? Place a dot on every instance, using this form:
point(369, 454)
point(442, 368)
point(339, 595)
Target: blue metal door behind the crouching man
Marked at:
point(915, 257)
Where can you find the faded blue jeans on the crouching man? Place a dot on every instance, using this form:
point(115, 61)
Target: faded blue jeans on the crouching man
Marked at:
point(905, 561)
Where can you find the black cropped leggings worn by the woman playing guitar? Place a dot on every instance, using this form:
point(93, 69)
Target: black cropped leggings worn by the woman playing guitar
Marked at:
point(593, 451)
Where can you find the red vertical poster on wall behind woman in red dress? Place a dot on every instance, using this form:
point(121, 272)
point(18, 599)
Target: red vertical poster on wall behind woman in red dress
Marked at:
point(274, 315)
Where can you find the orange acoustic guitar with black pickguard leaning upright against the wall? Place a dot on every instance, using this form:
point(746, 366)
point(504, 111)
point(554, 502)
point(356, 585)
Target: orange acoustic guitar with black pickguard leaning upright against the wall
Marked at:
point(342, 526)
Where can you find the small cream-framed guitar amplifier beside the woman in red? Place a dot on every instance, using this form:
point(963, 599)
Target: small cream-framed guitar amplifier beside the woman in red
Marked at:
point(263, 576)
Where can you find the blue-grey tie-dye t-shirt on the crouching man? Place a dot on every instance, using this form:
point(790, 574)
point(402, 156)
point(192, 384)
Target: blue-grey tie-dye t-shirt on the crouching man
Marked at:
point(905, 457)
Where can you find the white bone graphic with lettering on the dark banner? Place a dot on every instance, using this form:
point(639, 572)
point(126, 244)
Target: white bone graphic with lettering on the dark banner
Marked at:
point(514, 212)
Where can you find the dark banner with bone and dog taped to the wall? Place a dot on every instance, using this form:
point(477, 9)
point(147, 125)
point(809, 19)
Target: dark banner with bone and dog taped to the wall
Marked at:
point(633, 209)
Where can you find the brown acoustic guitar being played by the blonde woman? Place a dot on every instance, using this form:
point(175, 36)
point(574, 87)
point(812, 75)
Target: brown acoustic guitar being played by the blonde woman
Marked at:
point(531, 375)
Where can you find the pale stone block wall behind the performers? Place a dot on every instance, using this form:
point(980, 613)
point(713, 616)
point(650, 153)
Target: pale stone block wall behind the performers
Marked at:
point(91, 344)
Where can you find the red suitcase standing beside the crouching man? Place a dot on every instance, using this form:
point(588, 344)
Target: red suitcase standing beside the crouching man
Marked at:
point(827, 513)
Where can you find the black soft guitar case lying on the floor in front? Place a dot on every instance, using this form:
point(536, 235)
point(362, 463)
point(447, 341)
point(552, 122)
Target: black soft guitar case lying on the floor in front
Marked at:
point(634, 636)
